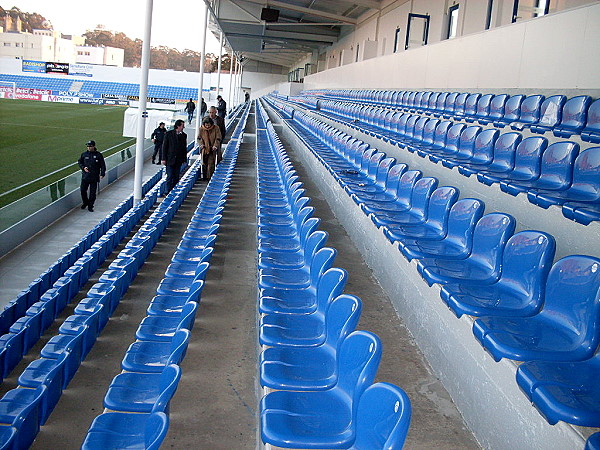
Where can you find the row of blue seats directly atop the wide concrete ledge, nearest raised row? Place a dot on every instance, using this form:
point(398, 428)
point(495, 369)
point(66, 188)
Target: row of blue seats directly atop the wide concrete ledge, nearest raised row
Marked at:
point(532, 310)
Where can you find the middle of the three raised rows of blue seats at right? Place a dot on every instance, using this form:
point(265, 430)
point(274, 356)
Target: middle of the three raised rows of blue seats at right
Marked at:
point(555, 174)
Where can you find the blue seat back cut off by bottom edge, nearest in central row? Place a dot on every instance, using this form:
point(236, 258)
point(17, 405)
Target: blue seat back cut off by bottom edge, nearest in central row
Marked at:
point(383, 417)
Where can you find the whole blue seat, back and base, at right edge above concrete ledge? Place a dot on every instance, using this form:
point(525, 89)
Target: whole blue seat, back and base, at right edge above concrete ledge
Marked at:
point(566, 329)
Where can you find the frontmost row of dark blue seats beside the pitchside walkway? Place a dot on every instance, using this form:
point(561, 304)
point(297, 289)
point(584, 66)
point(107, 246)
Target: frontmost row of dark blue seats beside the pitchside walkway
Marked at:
point(16, 308)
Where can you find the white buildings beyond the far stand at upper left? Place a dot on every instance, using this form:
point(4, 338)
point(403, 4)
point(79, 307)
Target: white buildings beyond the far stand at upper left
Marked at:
point(50, 45)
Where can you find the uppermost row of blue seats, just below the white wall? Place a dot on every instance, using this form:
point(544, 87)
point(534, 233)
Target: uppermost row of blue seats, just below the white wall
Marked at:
point(563, 117)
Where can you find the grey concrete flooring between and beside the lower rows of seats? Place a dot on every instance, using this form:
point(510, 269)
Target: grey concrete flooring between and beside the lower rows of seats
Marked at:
point(215, 406)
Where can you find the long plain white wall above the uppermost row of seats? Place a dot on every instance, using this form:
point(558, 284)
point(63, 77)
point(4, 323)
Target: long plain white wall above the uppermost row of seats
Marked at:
point(555, 52)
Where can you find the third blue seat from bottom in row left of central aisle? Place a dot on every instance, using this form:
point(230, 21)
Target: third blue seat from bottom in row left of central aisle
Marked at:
point(153, 357)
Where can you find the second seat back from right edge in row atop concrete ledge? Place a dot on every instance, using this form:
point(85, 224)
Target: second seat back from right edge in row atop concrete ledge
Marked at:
point(527, 259)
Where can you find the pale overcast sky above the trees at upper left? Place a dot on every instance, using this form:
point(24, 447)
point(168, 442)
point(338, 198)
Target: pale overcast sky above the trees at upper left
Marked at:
point(173, 26)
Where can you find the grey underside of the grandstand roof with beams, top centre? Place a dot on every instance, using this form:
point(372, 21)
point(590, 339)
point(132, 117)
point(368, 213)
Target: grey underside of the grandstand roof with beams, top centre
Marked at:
point(302, 26)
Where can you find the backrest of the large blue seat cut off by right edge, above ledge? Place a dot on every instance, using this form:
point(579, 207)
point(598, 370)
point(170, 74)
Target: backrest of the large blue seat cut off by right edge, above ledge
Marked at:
point(573, 297)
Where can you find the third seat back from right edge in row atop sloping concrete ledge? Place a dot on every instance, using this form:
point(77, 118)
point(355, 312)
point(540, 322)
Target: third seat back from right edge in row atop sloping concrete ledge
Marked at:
point(490, 237)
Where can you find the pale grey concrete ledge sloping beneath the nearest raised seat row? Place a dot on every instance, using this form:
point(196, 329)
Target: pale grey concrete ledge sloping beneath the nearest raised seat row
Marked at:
point(484, 391)
